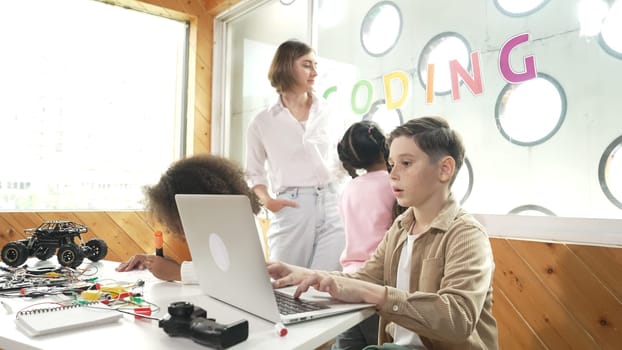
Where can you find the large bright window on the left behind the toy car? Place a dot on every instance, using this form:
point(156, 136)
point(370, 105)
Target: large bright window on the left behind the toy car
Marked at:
point(91, 112)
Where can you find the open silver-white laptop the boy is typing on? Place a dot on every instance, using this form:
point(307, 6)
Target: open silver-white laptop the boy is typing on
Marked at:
point(228, 258)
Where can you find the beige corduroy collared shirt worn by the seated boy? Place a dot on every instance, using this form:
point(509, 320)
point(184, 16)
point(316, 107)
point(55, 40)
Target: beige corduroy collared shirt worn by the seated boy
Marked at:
point(449, 302)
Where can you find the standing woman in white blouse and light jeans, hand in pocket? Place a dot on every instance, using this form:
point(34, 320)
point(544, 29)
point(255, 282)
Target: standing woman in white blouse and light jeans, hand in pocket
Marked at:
point(296, 138)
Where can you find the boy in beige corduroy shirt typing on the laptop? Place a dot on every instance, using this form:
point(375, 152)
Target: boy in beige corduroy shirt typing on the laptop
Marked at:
point(431, 276)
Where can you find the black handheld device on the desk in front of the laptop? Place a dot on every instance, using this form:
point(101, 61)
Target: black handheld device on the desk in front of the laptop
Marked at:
point(189, 321)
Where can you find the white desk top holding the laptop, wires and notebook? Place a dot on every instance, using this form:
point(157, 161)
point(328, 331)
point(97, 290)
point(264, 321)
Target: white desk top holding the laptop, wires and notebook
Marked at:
point(130, 333)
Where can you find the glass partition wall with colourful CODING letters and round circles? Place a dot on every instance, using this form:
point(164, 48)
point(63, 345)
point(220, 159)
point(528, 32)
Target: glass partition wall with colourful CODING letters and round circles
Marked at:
point(532, 93)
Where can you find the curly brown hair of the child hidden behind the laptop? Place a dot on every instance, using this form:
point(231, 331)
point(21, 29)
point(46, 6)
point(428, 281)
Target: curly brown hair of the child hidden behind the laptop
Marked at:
point(199, 174)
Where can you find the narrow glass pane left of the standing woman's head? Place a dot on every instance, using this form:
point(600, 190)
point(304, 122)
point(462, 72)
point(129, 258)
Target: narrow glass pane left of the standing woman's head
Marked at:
point(249, 40)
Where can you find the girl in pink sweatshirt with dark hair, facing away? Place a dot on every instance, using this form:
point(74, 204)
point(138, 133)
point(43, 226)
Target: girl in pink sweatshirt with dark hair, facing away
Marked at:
point(366, 209)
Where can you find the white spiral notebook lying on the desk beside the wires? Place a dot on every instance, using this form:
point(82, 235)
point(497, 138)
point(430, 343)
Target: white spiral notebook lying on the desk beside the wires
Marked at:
point(45, 321)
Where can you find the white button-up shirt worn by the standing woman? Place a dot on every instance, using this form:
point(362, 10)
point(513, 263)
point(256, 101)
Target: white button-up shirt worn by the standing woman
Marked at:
point(297, 154)
